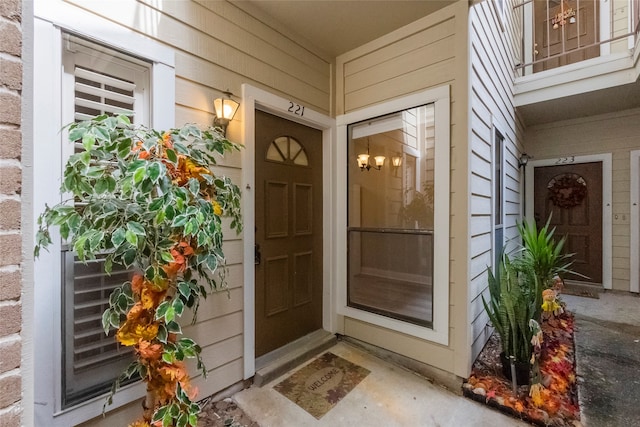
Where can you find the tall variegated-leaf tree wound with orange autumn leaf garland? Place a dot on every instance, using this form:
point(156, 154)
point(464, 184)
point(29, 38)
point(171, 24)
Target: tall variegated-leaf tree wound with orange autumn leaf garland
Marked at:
point(150, 201)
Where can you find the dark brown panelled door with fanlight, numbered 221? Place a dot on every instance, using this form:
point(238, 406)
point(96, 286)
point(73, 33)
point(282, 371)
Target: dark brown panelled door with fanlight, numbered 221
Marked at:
point(288, 231)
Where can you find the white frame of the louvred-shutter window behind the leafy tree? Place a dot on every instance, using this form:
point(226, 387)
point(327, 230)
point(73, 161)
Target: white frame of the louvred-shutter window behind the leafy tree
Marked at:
point(51, 19)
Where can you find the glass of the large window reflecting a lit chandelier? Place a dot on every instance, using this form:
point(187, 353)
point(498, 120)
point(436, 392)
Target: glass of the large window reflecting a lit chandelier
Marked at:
point(394, 229)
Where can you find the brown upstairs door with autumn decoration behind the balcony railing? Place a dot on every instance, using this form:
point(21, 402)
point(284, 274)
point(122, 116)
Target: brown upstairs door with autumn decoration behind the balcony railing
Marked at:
point(576, 34)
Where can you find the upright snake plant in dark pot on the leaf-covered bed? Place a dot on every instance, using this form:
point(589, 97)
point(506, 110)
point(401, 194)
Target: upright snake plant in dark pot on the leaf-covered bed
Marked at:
point(510, 309)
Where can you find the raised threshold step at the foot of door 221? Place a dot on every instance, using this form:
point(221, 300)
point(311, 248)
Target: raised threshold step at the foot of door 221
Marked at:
point(280, 361)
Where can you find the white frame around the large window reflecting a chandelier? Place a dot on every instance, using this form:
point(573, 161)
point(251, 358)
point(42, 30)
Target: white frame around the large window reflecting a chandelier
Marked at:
point(440, 97)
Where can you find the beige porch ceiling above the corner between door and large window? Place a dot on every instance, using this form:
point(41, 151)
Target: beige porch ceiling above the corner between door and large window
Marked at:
point(337, 26)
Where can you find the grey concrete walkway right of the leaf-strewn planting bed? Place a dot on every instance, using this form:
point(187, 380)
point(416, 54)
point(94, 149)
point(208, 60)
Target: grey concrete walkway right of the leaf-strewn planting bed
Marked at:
point(607, 341)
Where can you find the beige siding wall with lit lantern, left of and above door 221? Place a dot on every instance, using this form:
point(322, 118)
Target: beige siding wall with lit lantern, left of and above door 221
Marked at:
point(219, 46)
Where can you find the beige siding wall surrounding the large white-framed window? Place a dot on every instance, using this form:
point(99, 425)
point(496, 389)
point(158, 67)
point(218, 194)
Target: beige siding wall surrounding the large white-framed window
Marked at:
point(428, 53)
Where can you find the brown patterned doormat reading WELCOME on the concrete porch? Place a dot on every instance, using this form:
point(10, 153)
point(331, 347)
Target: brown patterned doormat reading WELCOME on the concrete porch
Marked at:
point(321, 384)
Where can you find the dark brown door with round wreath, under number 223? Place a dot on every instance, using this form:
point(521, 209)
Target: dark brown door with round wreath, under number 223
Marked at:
point(573, 194)
